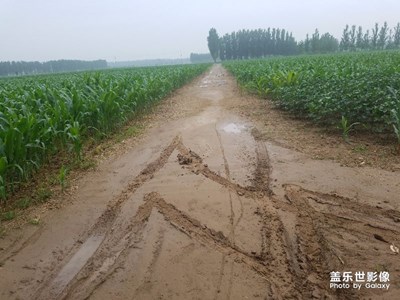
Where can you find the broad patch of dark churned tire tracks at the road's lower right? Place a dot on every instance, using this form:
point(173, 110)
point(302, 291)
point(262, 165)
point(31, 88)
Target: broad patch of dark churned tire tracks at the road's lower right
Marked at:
point(320, 247)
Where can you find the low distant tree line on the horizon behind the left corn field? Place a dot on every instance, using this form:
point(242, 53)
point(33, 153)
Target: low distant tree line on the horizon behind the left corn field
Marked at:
point(15, 68)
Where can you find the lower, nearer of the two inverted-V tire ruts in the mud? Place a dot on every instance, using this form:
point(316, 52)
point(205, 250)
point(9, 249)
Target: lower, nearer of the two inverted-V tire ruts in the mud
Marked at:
point(177, 219)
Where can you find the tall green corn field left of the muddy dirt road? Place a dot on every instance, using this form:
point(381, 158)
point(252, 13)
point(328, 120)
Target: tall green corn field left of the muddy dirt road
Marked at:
point(42, 115)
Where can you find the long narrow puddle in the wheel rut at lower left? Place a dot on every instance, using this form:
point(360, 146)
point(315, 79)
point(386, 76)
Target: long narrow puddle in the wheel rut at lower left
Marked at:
point(69, 271)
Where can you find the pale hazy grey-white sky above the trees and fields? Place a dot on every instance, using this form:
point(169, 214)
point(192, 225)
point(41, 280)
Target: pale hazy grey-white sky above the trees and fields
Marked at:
point(132, 29)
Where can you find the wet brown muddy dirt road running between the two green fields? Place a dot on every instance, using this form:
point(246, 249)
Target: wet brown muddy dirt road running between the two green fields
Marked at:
point(204, 208)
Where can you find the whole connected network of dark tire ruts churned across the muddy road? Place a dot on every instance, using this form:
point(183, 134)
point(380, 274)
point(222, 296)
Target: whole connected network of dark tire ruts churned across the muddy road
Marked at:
point(295, 261)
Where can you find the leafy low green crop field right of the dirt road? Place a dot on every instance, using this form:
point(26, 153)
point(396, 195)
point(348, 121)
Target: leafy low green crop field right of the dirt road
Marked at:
point(355, 87)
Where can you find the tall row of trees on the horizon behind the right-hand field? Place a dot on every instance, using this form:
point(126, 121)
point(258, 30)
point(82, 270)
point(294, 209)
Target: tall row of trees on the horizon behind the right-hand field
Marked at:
point(245, 44)
